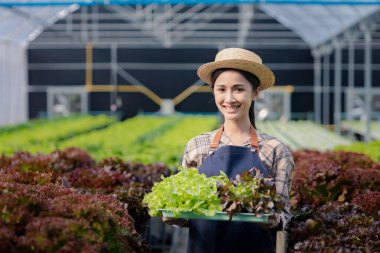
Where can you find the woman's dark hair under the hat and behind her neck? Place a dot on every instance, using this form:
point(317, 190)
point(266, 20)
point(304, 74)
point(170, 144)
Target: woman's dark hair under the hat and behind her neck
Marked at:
point(251, 78)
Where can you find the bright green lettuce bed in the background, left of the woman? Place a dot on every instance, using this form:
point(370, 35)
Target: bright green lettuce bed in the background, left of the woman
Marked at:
point(146, 139)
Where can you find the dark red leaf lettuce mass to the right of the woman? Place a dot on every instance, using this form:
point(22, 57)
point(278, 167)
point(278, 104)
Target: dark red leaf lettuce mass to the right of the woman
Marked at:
point(335, 202)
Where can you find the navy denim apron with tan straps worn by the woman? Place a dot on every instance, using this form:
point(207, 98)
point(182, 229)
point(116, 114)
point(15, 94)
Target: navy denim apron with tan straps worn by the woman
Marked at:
point(206, 236)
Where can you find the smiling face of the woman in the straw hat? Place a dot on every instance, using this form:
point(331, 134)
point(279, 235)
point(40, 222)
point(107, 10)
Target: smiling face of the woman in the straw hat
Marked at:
point(233, 95)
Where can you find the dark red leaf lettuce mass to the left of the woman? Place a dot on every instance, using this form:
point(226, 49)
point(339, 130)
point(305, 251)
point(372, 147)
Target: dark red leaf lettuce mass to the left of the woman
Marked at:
point(66, 202)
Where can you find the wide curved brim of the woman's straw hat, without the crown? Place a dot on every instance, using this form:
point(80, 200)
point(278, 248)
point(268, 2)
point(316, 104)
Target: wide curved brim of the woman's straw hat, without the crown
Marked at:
point(263, 73)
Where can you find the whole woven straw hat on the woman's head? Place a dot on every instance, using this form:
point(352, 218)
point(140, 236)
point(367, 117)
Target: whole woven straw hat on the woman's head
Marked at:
point(238, 58)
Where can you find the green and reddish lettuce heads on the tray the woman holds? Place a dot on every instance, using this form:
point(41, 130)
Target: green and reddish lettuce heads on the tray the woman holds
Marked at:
point(190, 191)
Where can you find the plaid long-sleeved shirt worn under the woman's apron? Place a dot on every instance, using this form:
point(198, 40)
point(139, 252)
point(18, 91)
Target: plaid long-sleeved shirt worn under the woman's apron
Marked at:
point(274, 154)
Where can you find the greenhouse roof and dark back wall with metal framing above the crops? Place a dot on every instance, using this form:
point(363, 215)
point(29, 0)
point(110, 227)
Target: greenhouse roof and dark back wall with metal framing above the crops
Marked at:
point(332, 47)
